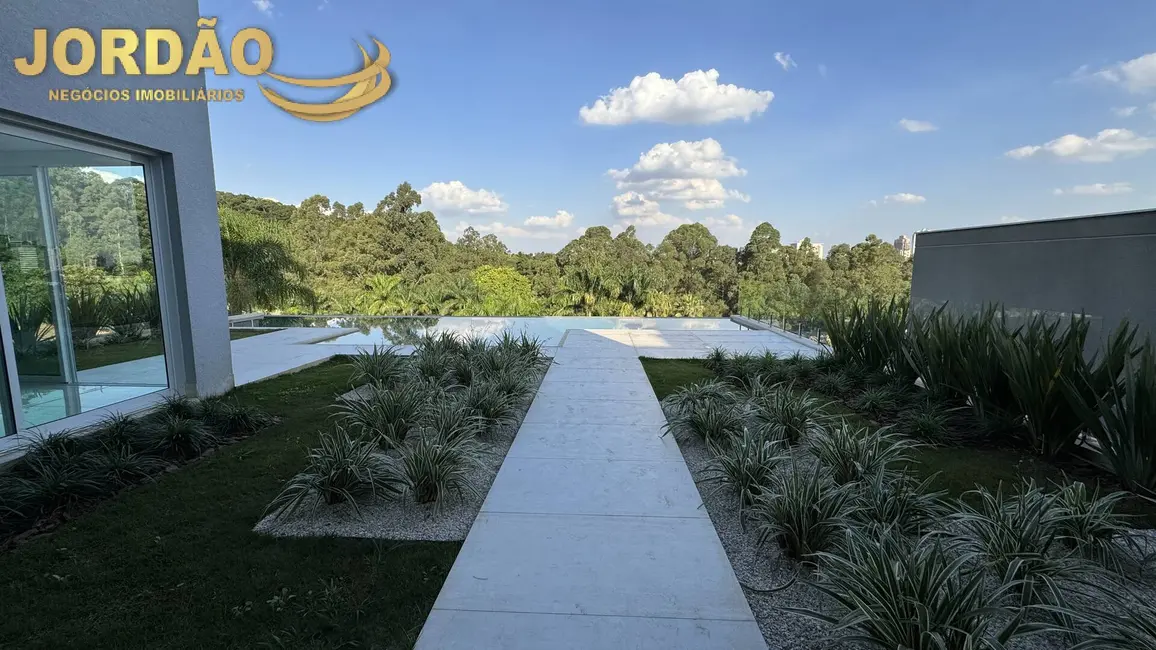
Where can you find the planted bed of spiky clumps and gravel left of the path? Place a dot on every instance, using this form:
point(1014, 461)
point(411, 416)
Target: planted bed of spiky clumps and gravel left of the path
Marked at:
point(431, 433)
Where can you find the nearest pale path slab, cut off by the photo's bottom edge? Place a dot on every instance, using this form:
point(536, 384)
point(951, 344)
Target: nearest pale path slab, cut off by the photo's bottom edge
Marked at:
point(521, 631)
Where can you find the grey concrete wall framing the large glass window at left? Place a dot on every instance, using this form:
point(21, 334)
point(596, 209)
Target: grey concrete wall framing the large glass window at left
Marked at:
point(180, 131)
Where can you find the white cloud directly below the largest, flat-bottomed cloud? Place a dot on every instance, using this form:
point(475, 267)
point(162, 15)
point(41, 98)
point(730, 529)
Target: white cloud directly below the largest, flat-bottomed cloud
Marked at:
point(687, 173)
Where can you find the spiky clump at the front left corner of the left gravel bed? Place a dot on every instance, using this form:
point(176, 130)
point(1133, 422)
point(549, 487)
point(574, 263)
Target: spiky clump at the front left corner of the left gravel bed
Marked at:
point(343, 469)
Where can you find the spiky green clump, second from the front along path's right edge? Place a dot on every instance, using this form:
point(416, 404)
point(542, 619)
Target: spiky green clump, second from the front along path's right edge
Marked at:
point(805, 512)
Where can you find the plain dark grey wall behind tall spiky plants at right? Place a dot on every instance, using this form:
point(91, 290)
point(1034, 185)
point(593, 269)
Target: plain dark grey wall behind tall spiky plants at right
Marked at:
point(1103, 265)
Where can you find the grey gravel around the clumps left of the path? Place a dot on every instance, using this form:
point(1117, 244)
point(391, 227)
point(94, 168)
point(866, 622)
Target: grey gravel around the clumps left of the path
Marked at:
point(405, 520)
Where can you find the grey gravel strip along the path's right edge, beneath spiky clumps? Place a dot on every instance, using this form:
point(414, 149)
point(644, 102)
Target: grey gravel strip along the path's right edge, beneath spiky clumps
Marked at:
point(762, 568)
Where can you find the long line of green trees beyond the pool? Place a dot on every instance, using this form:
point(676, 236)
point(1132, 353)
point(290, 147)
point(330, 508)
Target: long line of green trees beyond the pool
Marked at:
point(324, 257)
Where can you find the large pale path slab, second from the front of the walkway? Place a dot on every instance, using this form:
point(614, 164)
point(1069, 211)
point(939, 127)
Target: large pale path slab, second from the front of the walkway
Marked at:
point(666, 567)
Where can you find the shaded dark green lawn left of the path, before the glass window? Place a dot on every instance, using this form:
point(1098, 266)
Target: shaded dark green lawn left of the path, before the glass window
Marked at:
point(175, 564)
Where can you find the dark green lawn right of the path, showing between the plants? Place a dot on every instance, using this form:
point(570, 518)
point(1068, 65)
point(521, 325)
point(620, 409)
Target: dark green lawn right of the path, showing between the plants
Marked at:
point(957, 469)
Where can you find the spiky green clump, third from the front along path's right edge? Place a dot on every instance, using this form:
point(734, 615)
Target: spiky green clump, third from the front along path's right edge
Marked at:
point(746, 467)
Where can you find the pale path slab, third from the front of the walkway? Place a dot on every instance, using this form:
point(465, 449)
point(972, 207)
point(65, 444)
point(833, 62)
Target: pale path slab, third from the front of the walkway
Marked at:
point(644, 489)
